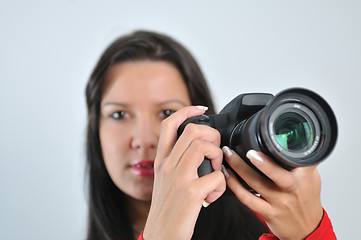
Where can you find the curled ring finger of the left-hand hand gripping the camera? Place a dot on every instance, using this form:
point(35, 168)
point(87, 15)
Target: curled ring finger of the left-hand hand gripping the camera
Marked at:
point(195, 154)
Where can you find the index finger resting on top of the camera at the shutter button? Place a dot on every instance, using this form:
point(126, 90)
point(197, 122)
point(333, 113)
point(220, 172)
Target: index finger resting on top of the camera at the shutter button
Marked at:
point(169, 127)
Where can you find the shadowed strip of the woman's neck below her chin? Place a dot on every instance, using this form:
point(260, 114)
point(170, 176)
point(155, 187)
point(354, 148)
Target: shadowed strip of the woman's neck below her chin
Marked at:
point(138, 212)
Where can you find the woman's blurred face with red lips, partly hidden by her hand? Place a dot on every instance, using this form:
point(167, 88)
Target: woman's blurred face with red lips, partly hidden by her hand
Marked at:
point(138, 96)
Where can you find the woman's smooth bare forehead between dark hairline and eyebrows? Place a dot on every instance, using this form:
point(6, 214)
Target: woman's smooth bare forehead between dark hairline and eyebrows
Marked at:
point(145, 80)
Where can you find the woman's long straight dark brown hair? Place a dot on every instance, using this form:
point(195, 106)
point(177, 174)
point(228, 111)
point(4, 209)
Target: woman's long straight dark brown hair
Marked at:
point(108, 216)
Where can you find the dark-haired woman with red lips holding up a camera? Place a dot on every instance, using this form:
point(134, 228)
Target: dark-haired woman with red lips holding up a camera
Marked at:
point(141, 177)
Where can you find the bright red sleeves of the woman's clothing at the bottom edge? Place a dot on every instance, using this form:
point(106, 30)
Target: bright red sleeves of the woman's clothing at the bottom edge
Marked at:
point(323, 232)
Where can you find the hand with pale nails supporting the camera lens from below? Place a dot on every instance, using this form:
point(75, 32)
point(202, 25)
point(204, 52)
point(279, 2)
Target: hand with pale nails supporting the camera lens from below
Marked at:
point(290, 200)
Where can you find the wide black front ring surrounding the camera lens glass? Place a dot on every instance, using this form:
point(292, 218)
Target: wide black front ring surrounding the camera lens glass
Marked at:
point(326, 119)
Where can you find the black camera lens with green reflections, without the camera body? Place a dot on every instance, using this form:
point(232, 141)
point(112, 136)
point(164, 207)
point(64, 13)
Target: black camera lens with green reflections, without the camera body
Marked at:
point(296, 128)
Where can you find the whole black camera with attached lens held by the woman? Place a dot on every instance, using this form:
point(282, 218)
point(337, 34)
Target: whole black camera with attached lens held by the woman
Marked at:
point(295, 128)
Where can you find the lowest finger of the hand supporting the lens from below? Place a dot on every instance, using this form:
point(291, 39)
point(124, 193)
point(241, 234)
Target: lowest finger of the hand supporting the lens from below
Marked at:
point(253, 202)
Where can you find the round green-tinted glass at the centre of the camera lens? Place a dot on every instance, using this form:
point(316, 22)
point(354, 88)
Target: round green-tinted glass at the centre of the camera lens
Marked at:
point(293, 132)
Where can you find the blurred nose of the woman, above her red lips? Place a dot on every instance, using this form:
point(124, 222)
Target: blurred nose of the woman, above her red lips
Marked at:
point(145, 134)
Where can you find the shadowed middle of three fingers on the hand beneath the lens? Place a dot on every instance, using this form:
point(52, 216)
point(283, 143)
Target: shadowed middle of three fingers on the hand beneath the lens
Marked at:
point(254, 179)
